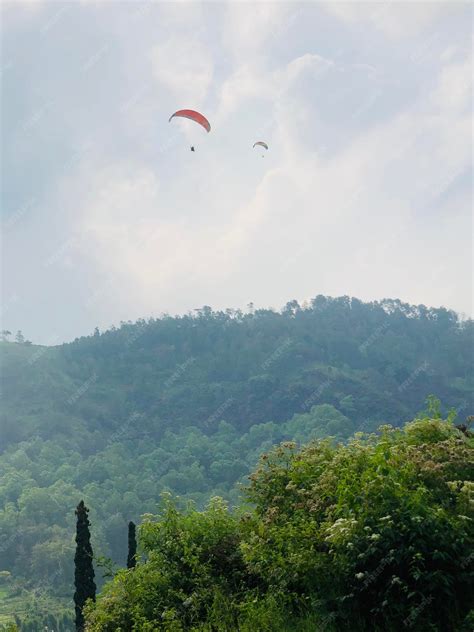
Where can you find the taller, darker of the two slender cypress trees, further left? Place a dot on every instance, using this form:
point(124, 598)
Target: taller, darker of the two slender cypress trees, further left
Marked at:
point(84, 570)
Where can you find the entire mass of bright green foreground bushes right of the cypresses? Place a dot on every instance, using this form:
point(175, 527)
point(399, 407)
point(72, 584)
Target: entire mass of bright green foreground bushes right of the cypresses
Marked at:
point(373, 535)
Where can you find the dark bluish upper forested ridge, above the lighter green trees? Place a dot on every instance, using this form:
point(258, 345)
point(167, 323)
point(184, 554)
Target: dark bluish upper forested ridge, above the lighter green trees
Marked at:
point(373, 362)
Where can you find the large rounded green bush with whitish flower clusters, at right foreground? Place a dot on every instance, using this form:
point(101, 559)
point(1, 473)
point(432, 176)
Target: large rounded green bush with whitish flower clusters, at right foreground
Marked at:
point(376, 532)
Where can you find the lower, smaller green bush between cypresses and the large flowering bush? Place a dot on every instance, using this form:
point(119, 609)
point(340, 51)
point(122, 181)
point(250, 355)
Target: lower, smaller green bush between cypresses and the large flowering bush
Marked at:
point(193, 566)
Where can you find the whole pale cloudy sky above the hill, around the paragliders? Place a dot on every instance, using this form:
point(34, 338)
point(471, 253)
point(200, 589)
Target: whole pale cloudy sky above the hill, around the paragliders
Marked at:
point(366, 189)
